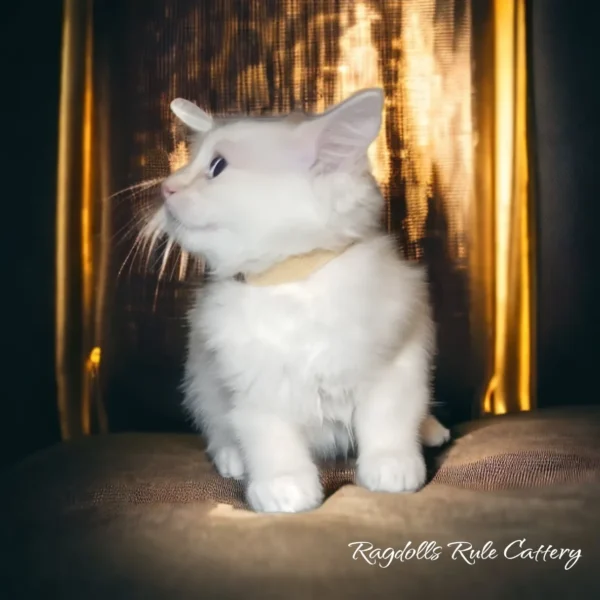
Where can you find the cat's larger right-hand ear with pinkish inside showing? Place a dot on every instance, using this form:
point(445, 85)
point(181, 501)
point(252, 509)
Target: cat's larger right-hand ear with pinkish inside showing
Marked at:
point(342, 135)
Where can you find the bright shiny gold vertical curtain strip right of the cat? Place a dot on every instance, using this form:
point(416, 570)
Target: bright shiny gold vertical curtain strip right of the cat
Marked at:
point(503, 234)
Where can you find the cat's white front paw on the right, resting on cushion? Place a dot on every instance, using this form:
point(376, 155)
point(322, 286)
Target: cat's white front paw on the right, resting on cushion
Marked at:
point(388, 472)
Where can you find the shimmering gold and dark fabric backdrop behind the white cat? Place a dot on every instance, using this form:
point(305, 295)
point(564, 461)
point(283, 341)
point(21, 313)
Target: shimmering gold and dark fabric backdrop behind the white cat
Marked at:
point(255, 57)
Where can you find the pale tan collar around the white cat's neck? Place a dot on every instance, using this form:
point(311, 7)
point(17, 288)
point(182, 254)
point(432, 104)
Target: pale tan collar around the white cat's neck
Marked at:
point(292, 269)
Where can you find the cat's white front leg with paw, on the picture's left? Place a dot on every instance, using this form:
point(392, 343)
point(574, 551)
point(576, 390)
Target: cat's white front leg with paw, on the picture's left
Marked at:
point(281, 474)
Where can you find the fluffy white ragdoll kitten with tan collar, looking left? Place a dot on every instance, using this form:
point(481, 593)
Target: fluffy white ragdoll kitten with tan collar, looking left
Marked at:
point(313, 336)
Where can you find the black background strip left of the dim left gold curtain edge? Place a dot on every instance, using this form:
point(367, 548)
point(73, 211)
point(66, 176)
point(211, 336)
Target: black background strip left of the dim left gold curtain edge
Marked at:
point(30, 67)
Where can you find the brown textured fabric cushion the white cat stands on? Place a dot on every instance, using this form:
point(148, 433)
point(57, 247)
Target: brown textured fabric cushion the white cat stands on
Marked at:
point(146, 516)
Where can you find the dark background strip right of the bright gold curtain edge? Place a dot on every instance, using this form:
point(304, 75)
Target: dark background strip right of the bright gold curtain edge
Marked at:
point(566, 106)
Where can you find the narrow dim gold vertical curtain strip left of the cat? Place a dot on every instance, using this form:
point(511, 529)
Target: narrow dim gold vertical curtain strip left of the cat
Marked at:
point(80, 232)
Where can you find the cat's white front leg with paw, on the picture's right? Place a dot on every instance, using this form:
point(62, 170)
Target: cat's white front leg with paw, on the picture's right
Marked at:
point(388, 419)
